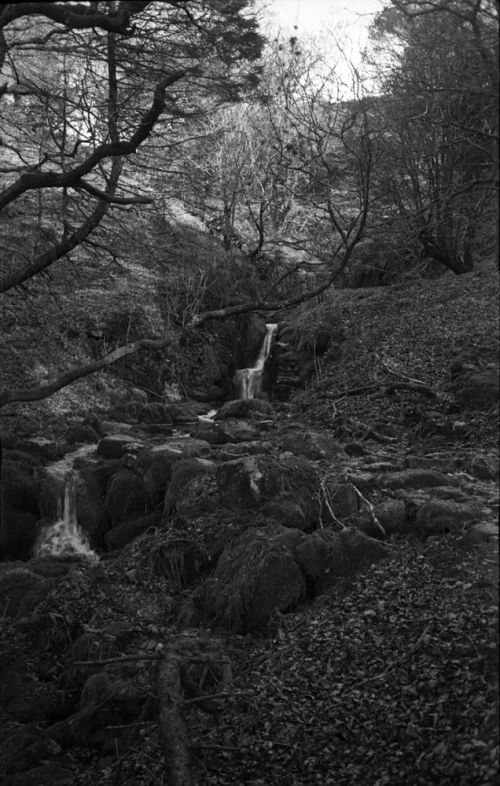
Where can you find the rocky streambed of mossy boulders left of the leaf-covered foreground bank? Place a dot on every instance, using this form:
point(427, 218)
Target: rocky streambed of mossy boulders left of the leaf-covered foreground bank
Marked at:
point(211, 535)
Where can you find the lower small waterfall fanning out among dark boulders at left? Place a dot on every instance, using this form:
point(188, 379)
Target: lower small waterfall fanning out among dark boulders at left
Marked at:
point(65, 537)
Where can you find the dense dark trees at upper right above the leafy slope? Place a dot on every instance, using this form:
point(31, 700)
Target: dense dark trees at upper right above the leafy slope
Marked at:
point(438, 126)
